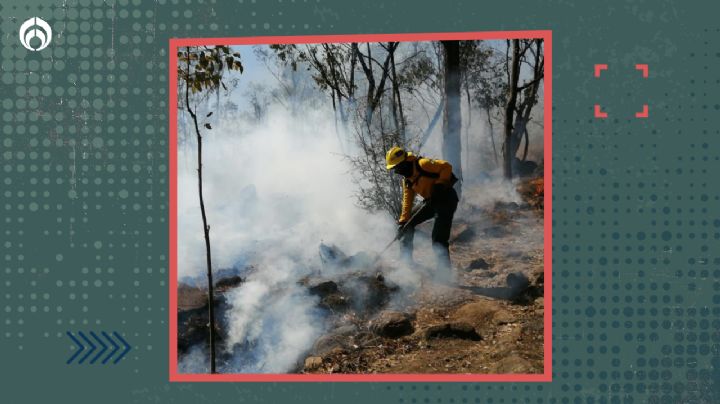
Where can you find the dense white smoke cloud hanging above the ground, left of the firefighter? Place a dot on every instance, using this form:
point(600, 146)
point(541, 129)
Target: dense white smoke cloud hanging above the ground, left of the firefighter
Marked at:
point(275, 189)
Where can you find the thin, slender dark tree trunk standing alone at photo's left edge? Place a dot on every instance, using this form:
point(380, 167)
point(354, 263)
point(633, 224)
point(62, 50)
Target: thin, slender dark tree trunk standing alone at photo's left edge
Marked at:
point(206, 227)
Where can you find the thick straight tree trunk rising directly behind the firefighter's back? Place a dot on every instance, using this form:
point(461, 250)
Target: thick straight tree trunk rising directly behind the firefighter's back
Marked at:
point(452, 123)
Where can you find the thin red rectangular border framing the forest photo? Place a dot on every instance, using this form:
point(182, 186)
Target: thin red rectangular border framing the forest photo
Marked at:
point(546, 376)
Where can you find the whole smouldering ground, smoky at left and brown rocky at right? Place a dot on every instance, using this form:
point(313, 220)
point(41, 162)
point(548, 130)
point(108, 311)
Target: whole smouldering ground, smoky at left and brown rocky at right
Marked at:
point(337, 313)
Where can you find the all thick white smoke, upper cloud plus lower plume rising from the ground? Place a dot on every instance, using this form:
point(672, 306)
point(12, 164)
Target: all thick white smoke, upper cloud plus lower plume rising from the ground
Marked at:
point(273, 193)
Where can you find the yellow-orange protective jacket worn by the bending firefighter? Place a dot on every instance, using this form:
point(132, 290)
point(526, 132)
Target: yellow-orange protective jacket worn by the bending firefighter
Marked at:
point(419, 184)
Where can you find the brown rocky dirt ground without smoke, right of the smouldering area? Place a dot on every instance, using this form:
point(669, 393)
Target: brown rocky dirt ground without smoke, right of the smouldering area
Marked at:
point(492, 248)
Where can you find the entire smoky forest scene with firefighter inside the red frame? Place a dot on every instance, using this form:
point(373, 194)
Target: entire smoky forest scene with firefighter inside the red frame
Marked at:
point(300, 248)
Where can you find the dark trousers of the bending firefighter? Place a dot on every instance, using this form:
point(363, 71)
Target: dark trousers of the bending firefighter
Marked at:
point(443, 211)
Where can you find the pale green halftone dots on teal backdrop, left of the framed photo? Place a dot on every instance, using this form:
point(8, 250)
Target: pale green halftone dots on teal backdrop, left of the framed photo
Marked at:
point(91, 192)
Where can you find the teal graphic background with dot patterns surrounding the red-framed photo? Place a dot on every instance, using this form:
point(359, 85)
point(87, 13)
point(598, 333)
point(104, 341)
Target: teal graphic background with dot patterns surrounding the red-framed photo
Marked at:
point(636, 285)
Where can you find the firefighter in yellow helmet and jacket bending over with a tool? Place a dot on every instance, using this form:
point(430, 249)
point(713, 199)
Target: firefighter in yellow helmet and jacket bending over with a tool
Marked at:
point(433, 180)
